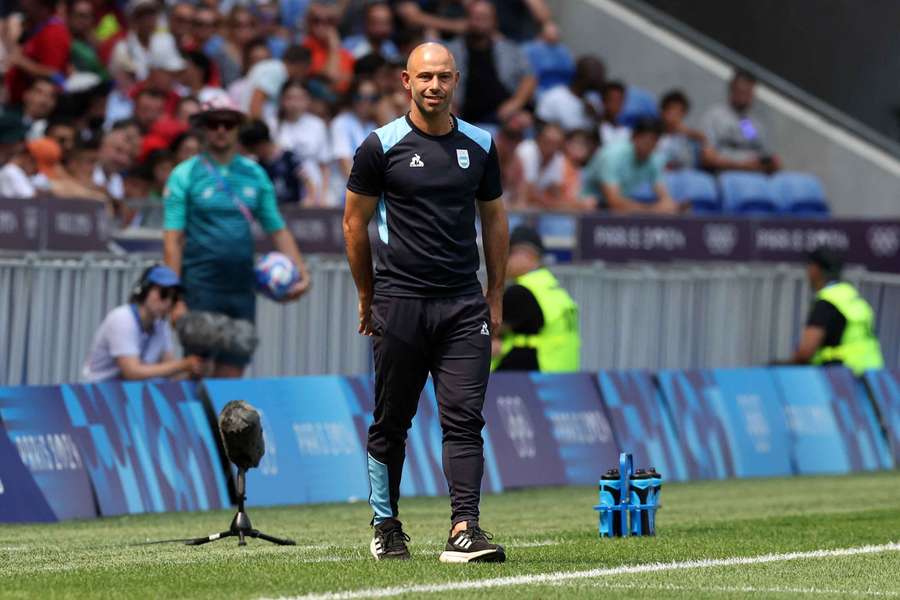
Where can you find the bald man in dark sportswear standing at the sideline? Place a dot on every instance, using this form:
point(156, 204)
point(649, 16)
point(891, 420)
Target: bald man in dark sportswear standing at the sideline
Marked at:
point(422, 177)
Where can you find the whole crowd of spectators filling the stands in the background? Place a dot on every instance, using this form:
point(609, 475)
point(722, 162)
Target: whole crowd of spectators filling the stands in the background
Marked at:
point(98, 98)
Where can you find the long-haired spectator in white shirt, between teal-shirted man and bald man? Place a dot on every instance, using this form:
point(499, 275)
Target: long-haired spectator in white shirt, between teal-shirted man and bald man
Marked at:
point(306, 135)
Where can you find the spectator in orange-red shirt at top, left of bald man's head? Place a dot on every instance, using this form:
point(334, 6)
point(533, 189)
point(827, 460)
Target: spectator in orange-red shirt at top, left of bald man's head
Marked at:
point(328, 57)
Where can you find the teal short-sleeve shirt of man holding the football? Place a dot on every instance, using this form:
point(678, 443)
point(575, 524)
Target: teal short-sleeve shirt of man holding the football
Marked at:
point(203, 199)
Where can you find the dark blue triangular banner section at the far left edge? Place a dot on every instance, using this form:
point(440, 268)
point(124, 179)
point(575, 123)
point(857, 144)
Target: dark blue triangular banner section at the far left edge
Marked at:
point(21, 500)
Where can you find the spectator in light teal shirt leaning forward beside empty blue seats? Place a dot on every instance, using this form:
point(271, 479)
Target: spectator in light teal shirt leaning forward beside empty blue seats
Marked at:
point(627, 176)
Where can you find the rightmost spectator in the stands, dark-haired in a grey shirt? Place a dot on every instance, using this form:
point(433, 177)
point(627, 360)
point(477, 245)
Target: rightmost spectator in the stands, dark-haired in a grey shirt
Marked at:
point(737, 138)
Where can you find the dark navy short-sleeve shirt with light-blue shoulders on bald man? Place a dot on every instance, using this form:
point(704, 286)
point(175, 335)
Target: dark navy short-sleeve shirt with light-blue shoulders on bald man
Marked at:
point(427, 188)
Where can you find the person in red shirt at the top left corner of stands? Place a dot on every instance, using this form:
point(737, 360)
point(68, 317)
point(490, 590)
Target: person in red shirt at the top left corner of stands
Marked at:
point(43, 50)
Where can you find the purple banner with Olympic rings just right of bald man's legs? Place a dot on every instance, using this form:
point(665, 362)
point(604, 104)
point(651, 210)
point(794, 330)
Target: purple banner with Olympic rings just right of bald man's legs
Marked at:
point(521, 434)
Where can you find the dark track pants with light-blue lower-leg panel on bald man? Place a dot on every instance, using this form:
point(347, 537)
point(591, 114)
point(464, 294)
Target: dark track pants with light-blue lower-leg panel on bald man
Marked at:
point(449, 338)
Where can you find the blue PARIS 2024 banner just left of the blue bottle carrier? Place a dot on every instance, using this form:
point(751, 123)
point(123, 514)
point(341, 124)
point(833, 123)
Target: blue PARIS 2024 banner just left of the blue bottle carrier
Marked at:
point(578, 424)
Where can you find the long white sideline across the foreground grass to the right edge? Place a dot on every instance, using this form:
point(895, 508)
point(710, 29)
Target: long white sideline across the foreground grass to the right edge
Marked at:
point(551, 578)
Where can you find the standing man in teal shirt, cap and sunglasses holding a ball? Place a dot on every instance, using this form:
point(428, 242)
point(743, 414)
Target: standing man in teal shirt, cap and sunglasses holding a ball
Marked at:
point(210, 203)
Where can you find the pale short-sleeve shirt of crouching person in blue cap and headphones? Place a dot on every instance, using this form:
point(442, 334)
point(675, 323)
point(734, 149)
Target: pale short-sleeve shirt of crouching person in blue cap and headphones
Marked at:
point(119, 335)
